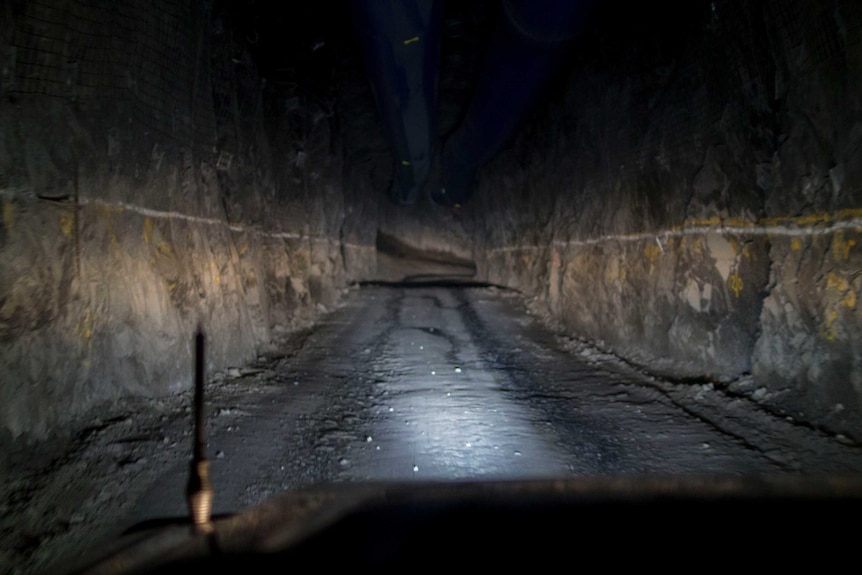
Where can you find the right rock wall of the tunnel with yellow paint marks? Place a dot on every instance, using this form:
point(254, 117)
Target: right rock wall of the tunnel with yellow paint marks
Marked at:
point(691, 198)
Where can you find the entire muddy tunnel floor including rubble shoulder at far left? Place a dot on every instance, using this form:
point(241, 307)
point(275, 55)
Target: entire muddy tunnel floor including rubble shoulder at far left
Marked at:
point(400, 383)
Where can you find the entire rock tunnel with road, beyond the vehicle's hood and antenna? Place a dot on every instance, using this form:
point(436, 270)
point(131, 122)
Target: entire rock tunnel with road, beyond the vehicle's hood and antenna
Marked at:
point(658, 220)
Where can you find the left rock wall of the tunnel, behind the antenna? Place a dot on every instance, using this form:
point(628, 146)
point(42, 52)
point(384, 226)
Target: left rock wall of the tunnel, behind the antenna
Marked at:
point(148, 185)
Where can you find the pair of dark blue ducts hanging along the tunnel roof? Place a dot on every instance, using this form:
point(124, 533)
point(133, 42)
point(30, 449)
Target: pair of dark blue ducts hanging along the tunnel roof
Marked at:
point(401, 45)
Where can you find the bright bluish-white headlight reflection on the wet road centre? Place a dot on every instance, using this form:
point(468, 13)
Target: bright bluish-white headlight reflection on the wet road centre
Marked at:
point(440, 413)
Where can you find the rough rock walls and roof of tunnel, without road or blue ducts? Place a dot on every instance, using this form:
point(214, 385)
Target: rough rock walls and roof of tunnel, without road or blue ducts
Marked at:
point(689, 197)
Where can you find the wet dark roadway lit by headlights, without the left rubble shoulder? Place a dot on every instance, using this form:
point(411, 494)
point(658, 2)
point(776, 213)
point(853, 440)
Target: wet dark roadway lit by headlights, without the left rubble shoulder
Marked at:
point(419, 383)
